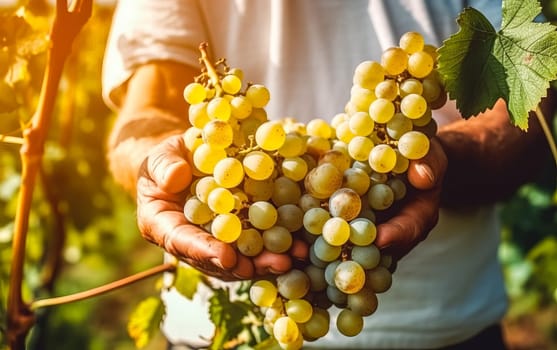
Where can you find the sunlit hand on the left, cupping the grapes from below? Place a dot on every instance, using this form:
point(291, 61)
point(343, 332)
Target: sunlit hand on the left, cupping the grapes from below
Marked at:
point(162, 183)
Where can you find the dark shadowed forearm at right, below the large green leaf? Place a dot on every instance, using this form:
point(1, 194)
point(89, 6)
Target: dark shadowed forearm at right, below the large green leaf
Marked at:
point(489, 158)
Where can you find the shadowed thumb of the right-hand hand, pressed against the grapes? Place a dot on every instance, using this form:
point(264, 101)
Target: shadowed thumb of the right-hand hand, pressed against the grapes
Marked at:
point(428, 172)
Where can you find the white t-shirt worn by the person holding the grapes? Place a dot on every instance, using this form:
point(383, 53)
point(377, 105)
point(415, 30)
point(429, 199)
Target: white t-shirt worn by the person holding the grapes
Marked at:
point(447, 289)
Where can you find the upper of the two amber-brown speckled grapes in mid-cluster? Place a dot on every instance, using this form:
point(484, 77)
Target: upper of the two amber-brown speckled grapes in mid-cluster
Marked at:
point(323, 180)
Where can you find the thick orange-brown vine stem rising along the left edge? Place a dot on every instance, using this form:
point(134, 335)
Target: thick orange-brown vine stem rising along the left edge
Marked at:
point(68, 22)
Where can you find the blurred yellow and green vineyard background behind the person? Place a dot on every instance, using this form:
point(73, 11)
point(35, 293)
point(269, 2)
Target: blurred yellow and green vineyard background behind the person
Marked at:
point(81, 216)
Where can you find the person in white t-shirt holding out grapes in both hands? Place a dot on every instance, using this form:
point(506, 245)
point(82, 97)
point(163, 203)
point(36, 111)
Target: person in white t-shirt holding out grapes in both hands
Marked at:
point(448, 292)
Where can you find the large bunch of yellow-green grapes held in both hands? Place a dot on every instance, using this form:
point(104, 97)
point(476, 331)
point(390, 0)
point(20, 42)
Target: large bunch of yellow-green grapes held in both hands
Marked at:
point(263, 184)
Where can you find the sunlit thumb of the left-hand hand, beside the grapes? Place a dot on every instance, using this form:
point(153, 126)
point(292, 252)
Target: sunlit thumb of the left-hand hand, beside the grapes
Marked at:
point(167, 166)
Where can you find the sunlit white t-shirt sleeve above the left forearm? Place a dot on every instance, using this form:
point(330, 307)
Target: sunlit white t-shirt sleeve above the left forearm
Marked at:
point(148, 30)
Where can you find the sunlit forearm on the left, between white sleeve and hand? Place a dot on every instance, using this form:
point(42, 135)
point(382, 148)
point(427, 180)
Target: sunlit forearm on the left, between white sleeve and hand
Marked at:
point(153, 109)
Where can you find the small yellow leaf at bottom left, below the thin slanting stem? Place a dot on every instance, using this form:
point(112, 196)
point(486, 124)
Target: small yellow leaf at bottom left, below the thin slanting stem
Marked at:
point(145, 320)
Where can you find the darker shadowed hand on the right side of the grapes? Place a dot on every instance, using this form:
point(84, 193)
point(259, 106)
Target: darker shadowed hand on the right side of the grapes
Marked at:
point(419, 212)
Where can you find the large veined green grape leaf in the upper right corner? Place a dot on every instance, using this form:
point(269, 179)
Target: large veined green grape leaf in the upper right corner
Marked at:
point(516, 63)
